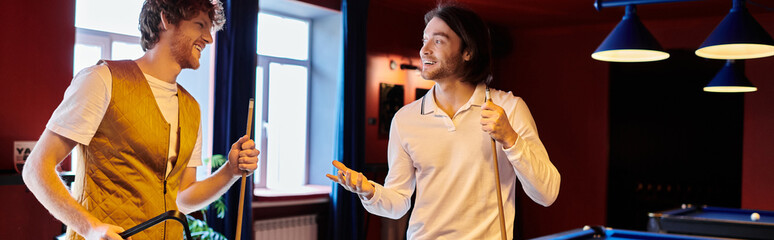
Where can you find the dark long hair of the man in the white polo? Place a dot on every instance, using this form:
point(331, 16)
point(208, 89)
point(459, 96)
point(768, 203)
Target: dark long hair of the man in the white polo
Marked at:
point(475, 38)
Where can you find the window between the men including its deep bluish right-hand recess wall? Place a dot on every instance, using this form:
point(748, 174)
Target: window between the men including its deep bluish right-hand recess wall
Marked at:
point(299, 51)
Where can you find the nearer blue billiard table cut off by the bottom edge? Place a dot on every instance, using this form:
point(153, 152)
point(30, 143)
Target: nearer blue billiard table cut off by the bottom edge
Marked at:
point(598, 232)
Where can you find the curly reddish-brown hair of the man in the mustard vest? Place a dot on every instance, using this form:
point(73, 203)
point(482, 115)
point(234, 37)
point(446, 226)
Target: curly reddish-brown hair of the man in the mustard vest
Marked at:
point(174, 11)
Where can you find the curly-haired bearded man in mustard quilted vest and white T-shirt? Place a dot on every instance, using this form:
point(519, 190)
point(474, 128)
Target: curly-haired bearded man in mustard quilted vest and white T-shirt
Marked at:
point(138, 134)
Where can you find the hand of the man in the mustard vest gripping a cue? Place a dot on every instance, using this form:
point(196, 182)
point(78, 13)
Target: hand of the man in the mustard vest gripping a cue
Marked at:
point(243, 157)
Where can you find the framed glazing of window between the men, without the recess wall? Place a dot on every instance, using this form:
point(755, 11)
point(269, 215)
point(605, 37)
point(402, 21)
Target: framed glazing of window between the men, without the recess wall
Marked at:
point(282, 84)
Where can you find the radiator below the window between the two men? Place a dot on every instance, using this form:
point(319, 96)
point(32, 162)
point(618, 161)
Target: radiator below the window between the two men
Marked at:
point(290, 228)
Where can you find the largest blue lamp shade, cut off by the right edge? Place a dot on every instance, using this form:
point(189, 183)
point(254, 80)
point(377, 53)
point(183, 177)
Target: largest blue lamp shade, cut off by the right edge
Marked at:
point(738, 36)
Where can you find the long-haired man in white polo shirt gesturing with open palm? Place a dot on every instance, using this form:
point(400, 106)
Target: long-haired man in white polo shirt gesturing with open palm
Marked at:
point(441, 143)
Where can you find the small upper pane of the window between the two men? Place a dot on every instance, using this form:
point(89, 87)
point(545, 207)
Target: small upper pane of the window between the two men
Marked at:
point(283, 37)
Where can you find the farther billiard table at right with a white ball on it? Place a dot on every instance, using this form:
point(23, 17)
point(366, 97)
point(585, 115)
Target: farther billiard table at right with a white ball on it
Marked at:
point(713, 221)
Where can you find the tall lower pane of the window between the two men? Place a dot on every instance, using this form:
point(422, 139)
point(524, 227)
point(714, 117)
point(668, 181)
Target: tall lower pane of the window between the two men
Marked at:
point(286, 133)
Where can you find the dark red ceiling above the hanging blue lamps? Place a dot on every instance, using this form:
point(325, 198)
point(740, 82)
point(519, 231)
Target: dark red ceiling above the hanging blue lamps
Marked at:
point(542, 13)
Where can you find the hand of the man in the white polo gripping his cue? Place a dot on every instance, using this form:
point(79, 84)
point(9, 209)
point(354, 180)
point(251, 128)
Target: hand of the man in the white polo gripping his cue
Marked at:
point(495, 122)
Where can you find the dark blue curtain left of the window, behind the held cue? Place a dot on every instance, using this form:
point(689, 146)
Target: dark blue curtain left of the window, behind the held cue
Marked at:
point(234, 86)
